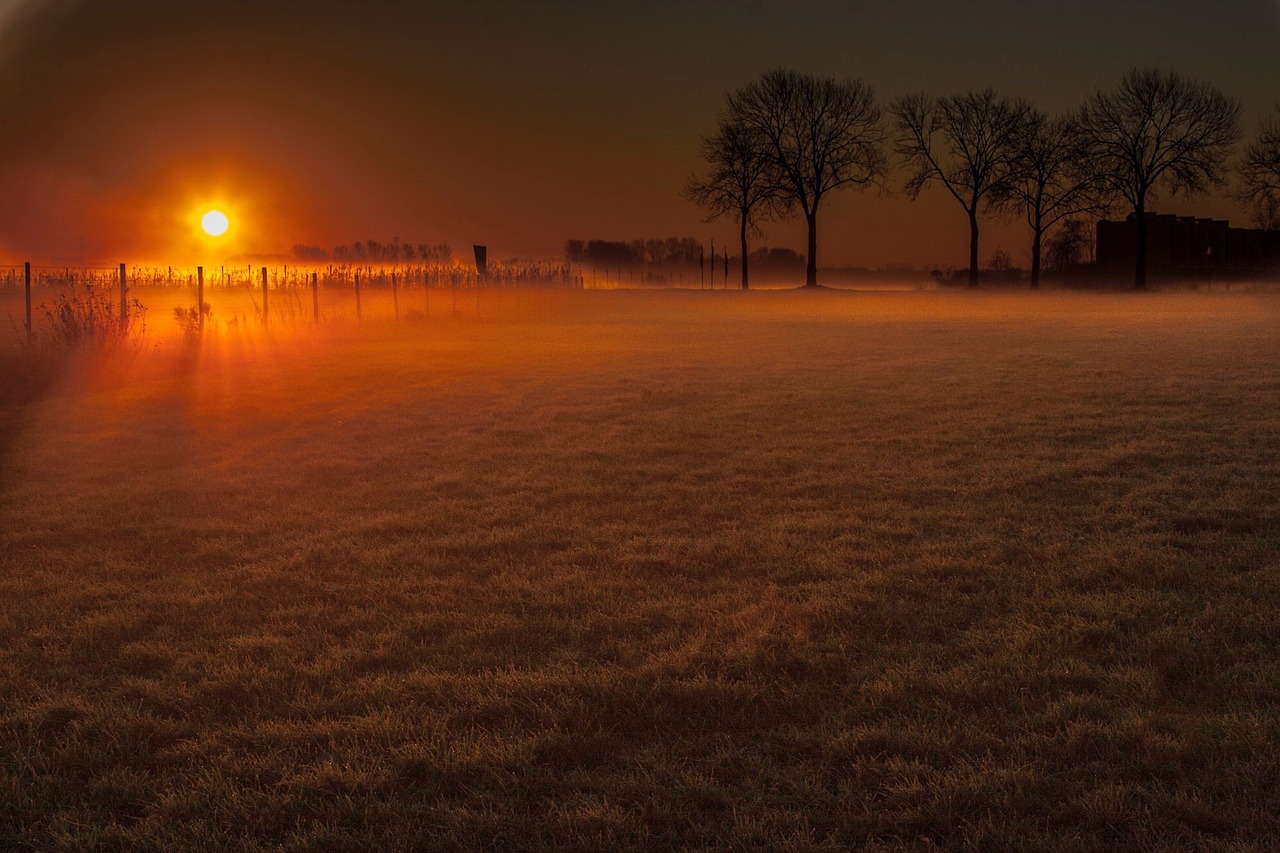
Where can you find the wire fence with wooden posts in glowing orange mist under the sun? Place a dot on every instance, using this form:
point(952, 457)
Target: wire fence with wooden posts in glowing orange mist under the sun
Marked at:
point(39, 299)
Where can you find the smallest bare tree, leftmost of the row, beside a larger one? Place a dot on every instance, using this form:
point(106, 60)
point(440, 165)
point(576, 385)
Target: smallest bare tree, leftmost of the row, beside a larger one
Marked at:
point(740, 183)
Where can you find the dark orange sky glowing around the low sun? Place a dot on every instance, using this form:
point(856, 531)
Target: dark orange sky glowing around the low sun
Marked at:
point(519, 124)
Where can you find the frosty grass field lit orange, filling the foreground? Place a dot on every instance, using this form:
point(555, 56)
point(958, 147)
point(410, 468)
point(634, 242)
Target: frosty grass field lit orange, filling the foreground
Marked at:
point(653, 572)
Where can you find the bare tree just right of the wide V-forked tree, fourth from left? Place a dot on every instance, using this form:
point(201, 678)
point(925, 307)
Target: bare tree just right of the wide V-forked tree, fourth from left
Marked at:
point(1053, 179)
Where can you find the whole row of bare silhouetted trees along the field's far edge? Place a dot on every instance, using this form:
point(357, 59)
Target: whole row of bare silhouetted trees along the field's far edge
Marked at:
point(787, 142)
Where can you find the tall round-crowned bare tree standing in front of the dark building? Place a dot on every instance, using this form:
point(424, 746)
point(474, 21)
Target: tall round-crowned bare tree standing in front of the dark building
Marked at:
point(1159, 131)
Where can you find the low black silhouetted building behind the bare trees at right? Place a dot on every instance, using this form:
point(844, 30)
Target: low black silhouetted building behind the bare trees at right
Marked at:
point(1187, 248)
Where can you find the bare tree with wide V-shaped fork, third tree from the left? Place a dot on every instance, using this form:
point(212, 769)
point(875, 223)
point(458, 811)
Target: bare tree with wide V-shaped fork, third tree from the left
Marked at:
point(979, 153)
